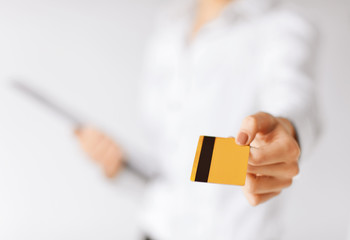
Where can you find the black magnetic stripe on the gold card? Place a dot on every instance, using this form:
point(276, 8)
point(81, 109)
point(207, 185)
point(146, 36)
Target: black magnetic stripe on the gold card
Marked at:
point(205, 159)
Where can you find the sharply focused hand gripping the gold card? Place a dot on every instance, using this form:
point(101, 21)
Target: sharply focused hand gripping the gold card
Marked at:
point(274, 156)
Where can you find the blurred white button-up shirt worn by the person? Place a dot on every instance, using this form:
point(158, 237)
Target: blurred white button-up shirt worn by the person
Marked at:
point(254, 57)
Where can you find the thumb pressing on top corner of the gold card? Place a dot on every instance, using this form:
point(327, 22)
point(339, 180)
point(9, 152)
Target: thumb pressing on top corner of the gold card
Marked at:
point(260, 122)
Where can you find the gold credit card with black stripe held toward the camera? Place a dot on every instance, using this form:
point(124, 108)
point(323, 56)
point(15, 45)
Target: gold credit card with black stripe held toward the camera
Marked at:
point(220, 160)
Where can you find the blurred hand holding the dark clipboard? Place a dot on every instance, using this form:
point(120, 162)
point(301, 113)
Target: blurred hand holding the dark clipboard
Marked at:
point(101, 148)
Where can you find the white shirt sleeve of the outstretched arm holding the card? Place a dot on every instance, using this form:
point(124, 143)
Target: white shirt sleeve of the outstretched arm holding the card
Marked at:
point(287, 88)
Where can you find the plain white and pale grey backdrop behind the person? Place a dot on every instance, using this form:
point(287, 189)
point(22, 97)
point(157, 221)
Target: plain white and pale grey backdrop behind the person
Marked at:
point(88, 55)
